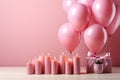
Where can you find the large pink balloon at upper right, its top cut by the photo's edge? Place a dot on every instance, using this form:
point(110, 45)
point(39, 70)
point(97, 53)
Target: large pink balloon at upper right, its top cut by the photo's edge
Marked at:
point(102, 10)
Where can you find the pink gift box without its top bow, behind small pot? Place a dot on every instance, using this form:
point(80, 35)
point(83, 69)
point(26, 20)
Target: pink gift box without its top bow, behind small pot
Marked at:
point(107, 62)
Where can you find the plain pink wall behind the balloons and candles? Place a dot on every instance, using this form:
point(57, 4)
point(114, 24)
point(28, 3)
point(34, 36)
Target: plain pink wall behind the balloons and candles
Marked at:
point(29, 27)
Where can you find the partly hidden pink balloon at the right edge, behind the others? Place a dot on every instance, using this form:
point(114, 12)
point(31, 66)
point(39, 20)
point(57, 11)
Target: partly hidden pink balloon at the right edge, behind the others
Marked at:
point(115, 23)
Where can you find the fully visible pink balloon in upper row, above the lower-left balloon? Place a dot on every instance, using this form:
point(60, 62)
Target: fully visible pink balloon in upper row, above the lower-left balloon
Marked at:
point(78, 16)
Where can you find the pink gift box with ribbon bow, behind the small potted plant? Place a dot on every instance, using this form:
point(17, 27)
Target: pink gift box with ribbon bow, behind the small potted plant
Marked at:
point(107, 62)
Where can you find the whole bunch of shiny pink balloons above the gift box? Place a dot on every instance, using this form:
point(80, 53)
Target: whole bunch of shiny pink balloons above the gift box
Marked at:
point(96, 19)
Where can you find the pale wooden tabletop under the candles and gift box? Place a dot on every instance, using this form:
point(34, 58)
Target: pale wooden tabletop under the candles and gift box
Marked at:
point(19, 73)
